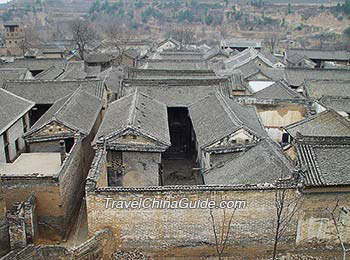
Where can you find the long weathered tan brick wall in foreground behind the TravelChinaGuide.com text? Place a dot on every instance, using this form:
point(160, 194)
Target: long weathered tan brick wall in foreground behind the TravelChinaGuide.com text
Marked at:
point(149, 228)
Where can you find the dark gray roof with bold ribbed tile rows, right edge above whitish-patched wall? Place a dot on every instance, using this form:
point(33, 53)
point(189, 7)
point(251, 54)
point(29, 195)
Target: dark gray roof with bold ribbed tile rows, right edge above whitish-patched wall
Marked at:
point(324, 165)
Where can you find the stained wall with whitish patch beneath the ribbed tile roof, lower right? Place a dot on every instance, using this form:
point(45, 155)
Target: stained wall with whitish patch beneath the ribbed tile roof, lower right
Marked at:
point(315, 222)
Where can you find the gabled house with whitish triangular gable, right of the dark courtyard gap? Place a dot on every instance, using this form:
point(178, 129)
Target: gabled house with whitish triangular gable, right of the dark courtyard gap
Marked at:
point(223, 128)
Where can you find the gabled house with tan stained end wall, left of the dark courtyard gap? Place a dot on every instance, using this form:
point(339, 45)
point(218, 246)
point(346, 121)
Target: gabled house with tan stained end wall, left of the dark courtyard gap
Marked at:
point(134, 133)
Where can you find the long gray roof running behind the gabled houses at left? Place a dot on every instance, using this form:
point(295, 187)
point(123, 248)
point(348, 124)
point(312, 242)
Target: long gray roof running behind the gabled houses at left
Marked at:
point(48, 91)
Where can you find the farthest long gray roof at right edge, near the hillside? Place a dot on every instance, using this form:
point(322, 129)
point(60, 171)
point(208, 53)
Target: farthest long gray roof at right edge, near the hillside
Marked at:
point(315, 54)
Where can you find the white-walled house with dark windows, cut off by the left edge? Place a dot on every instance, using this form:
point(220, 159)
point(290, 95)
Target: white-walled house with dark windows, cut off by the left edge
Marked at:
point(14, 122)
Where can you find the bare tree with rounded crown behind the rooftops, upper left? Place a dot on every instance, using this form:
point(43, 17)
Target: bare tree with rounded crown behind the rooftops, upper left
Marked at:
point(83, 35)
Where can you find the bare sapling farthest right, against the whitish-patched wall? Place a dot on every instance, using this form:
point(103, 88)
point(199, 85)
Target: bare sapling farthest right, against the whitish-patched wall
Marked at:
point(336, 214)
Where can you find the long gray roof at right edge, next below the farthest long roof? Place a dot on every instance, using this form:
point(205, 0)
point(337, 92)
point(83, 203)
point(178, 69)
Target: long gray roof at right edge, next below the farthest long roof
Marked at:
point(297, 76)
